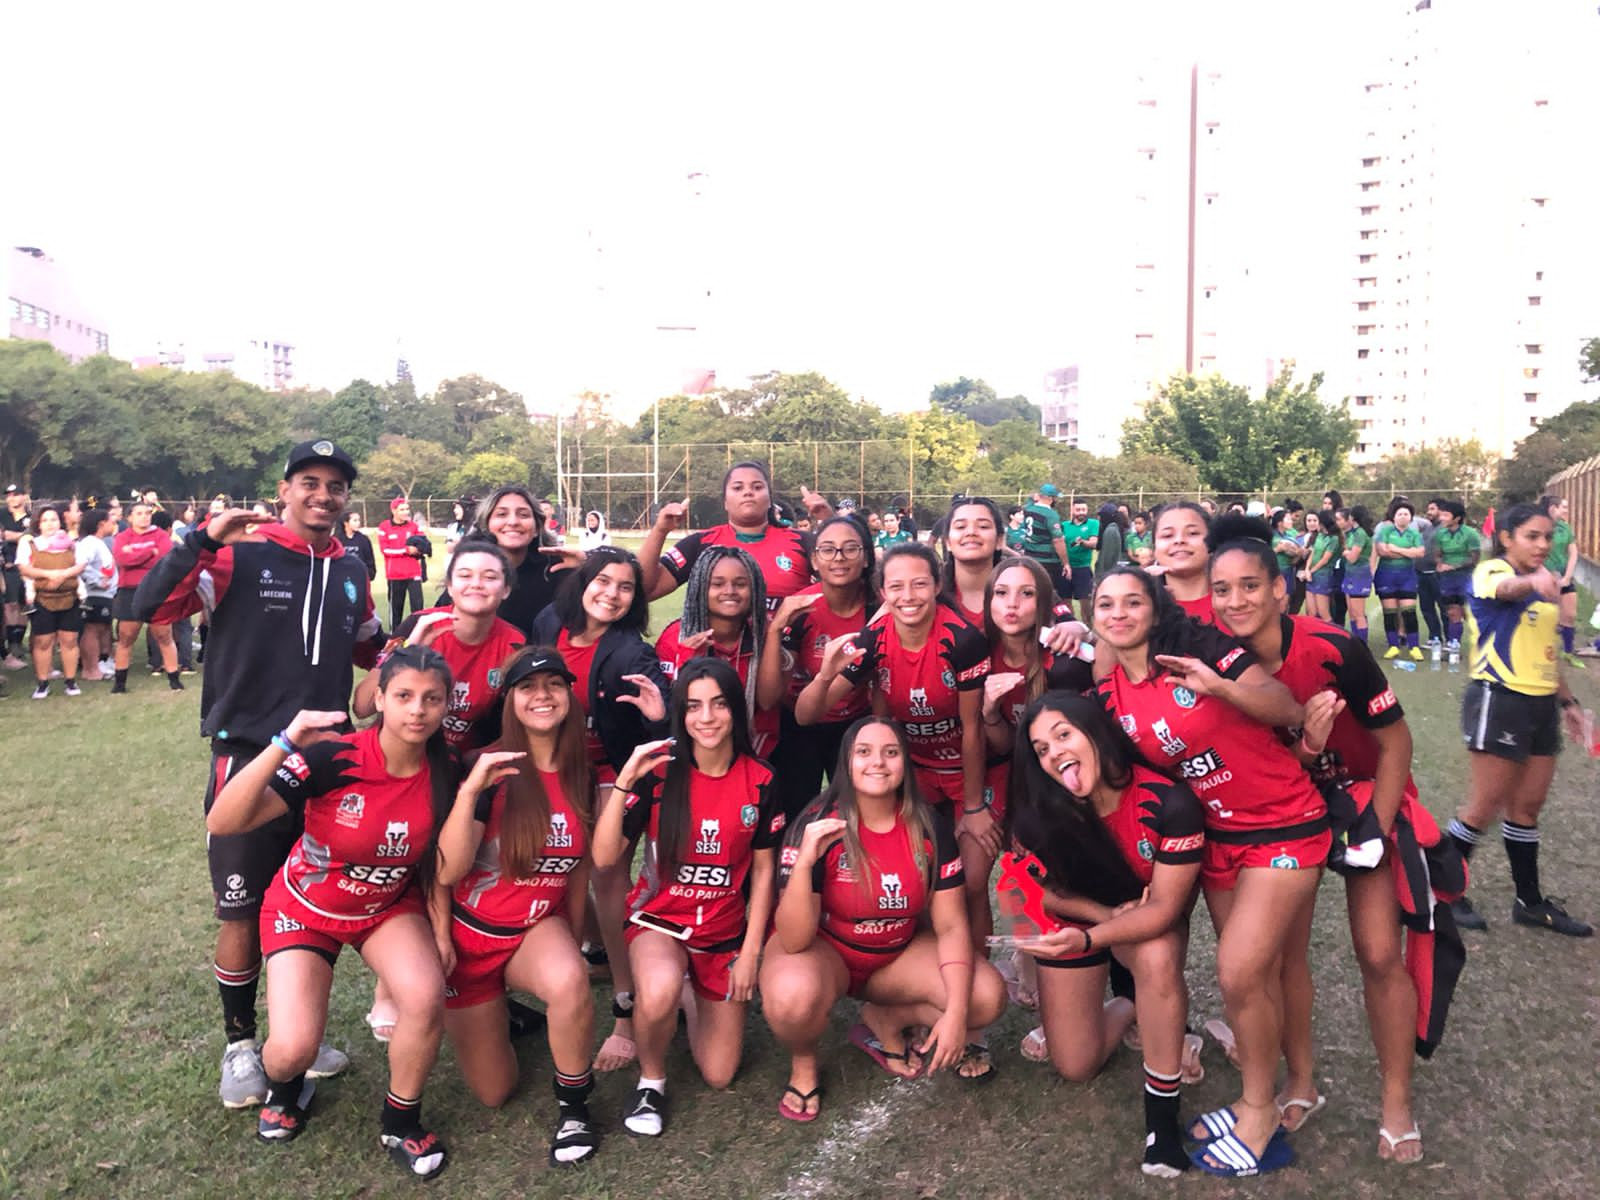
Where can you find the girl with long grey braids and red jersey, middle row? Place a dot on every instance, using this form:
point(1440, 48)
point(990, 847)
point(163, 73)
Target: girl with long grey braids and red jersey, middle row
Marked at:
point(726, 617)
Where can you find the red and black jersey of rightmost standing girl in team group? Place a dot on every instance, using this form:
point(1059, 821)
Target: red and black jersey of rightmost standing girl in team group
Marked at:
point(1319, 657)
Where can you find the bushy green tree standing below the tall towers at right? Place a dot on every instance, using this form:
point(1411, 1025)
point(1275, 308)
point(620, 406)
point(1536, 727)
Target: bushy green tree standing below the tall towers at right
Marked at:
point(1238, 444)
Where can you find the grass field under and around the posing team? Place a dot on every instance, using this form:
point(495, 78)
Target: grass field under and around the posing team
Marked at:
point(110, 1031)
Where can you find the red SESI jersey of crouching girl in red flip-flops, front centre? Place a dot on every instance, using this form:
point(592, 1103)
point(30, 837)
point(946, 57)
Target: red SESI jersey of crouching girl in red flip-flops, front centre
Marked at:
point(876, 905)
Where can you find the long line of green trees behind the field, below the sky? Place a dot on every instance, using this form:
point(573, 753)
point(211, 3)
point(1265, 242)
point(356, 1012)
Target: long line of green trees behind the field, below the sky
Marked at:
point(102, 426)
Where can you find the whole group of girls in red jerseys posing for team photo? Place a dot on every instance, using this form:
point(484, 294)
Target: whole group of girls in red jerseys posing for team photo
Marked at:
point(954, 718)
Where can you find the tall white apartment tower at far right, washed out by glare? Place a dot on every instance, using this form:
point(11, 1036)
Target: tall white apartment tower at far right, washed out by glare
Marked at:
point(1473, 257)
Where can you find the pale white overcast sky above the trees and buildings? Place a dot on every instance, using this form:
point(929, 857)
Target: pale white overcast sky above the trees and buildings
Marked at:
point(894, 194)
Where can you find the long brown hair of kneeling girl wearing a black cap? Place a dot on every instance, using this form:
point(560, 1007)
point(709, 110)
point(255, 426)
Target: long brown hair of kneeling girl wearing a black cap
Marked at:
point(526, 820)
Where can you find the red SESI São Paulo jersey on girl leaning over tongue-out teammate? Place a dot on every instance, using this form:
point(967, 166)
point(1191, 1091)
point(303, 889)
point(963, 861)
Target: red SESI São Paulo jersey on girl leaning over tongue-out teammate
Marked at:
point(1241, 770)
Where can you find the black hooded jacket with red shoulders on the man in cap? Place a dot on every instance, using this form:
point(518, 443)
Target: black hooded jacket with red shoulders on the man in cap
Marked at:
point(287, 625)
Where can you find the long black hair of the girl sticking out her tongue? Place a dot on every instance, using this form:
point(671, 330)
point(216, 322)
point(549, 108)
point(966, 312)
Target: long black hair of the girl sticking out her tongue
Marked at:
point(1062, 830)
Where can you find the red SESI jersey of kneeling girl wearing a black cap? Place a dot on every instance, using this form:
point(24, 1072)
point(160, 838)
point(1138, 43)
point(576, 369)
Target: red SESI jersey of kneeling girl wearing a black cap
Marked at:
point(492, 903)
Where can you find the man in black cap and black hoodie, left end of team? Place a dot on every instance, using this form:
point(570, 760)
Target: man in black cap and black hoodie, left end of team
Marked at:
point(289, 614)
